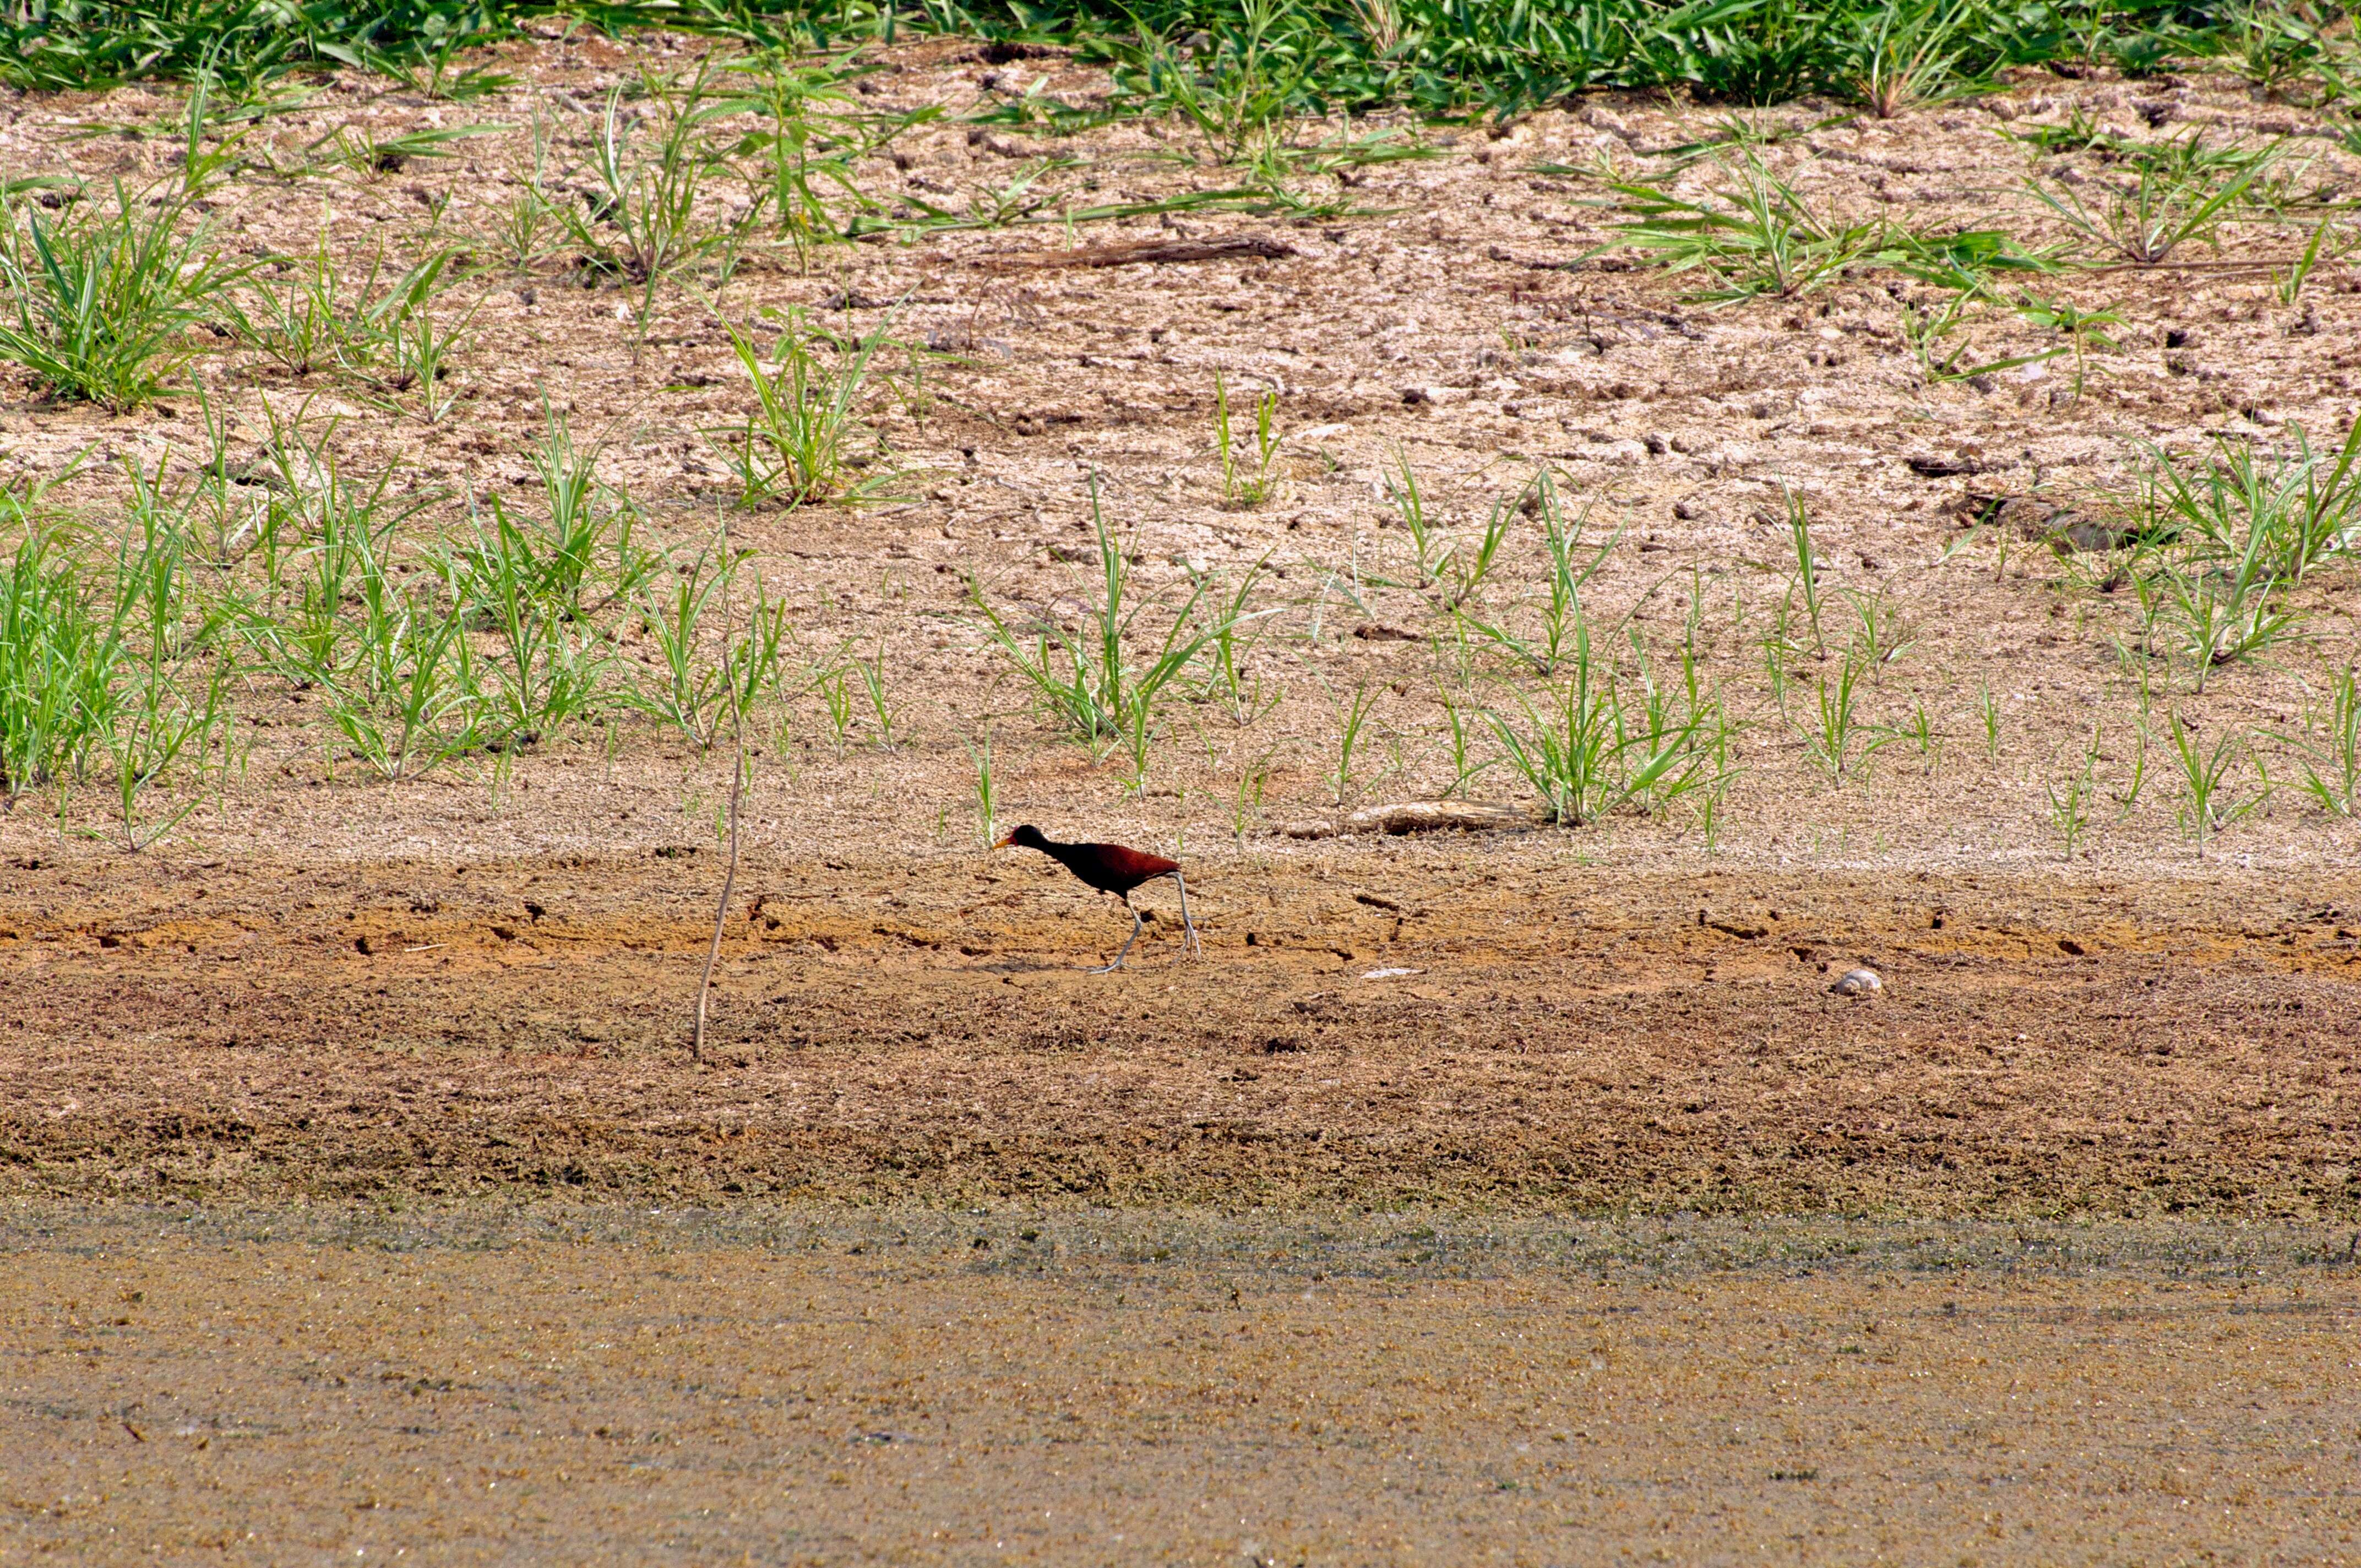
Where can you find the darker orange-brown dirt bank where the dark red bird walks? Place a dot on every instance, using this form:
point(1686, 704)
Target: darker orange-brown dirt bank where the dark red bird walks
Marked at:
point(917, 1031)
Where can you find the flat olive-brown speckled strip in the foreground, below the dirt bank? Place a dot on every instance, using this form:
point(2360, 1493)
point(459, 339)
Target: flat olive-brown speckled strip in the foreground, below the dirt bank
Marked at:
point(1016, 1387)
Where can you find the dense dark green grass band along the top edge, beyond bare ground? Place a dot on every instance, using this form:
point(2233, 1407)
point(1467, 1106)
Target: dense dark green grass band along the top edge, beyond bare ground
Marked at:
point(1241, 70)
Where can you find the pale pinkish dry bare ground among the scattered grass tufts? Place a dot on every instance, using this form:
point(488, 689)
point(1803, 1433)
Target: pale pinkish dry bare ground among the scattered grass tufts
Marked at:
point(1446, 318)
